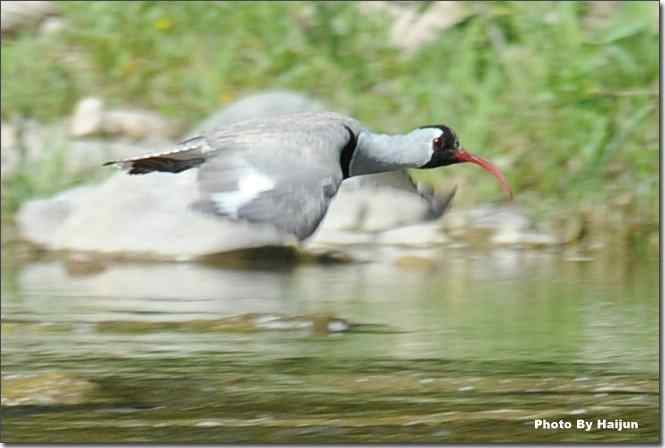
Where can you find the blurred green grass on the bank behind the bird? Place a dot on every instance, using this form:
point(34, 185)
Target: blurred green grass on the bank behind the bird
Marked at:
point(568, 106)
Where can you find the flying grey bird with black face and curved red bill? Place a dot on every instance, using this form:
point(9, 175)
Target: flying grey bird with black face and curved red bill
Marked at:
point(285, 170)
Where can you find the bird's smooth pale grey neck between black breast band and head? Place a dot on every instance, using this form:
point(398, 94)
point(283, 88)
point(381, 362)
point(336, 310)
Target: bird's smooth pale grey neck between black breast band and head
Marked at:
point(377, 153)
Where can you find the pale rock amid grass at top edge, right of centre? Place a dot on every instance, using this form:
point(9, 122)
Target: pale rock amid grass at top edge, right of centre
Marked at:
point(415, 25)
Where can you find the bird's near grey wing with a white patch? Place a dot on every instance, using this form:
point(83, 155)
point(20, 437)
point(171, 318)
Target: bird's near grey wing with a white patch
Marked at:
point(286, 179)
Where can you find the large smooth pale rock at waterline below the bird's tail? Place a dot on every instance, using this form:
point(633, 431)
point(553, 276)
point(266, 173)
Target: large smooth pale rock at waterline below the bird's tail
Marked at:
point(137, 216)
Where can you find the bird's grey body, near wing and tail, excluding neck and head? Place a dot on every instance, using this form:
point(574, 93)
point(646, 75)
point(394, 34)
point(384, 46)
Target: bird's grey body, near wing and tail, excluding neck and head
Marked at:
point(283, 171)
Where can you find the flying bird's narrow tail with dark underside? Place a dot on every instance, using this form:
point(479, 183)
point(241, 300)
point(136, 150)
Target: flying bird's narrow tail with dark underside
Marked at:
point(188, 154)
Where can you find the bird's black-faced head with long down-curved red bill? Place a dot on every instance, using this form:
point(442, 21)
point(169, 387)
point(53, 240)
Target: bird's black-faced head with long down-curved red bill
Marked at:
point(444, 148)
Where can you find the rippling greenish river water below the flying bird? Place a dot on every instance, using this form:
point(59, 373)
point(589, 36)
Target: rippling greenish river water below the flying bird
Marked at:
point(436, 346)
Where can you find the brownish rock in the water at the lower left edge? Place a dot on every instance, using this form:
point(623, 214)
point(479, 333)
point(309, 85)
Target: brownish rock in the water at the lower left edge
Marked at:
point(48, 389)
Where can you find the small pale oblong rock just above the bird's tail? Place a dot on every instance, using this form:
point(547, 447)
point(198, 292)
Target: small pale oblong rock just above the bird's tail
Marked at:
point(91, 117)
